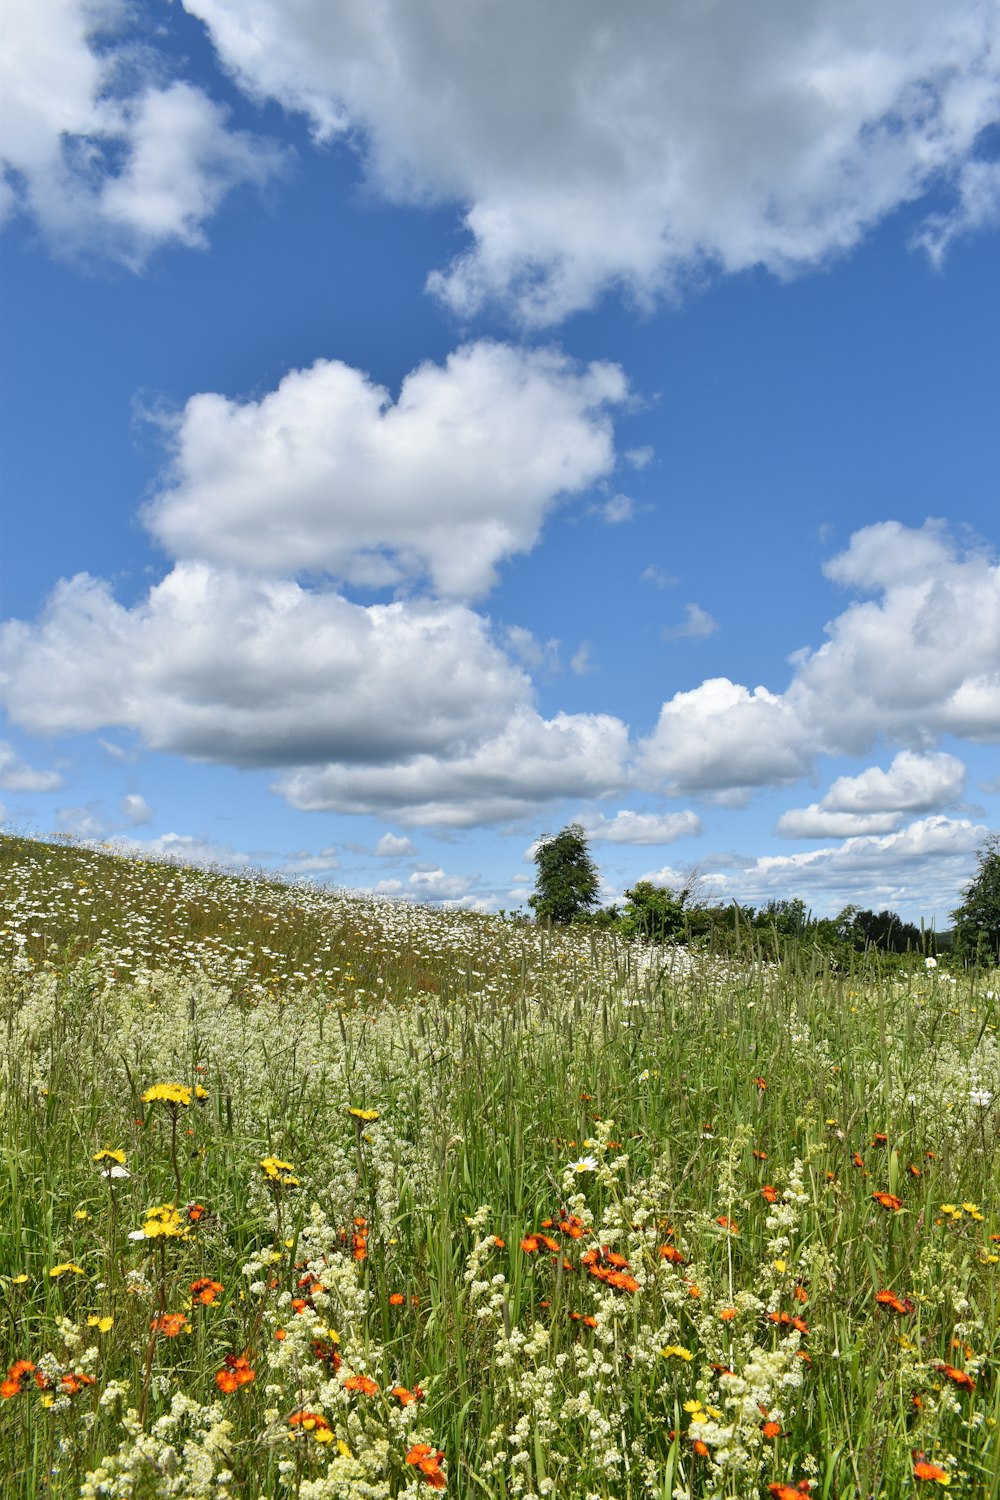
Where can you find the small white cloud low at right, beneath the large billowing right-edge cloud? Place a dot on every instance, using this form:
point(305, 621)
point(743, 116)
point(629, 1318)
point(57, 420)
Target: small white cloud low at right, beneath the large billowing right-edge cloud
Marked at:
point(876, 802)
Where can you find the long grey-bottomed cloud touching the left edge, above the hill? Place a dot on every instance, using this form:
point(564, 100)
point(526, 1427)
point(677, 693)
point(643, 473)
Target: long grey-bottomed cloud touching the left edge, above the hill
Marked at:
point(248, 671)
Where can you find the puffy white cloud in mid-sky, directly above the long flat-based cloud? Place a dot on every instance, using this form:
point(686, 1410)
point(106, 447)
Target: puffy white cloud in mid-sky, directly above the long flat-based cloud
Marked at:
point(329, 473)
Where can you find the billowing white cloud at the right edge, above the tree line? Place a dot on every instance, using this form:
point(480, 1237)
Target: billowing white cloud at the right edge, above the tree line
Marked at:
point(920, 661)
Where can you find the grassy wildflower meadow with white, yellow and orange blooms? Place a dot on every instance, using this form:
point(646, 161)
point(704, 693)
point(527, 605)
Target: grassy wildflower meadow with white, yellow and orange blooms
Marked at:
point(308, 1195)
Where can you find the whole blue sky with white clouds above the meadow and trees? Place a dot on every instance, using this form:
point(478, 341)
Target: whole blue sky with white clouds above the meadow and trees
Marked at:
point(428, 424)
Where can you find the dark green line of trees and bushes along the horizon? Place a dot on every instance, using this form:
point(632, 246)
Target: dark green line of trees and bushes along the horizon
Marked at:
point(567, 890)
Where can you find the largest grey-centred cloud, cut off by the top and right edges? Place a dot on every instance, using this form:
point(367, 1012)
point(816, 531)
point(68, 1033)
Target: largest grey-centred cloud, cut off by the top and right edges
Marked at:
point(596, 146)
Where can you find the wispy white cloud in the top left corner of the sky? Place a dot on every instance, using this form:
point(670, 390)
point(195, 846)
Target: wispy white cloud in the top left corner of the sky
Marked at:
point(97, 151)
